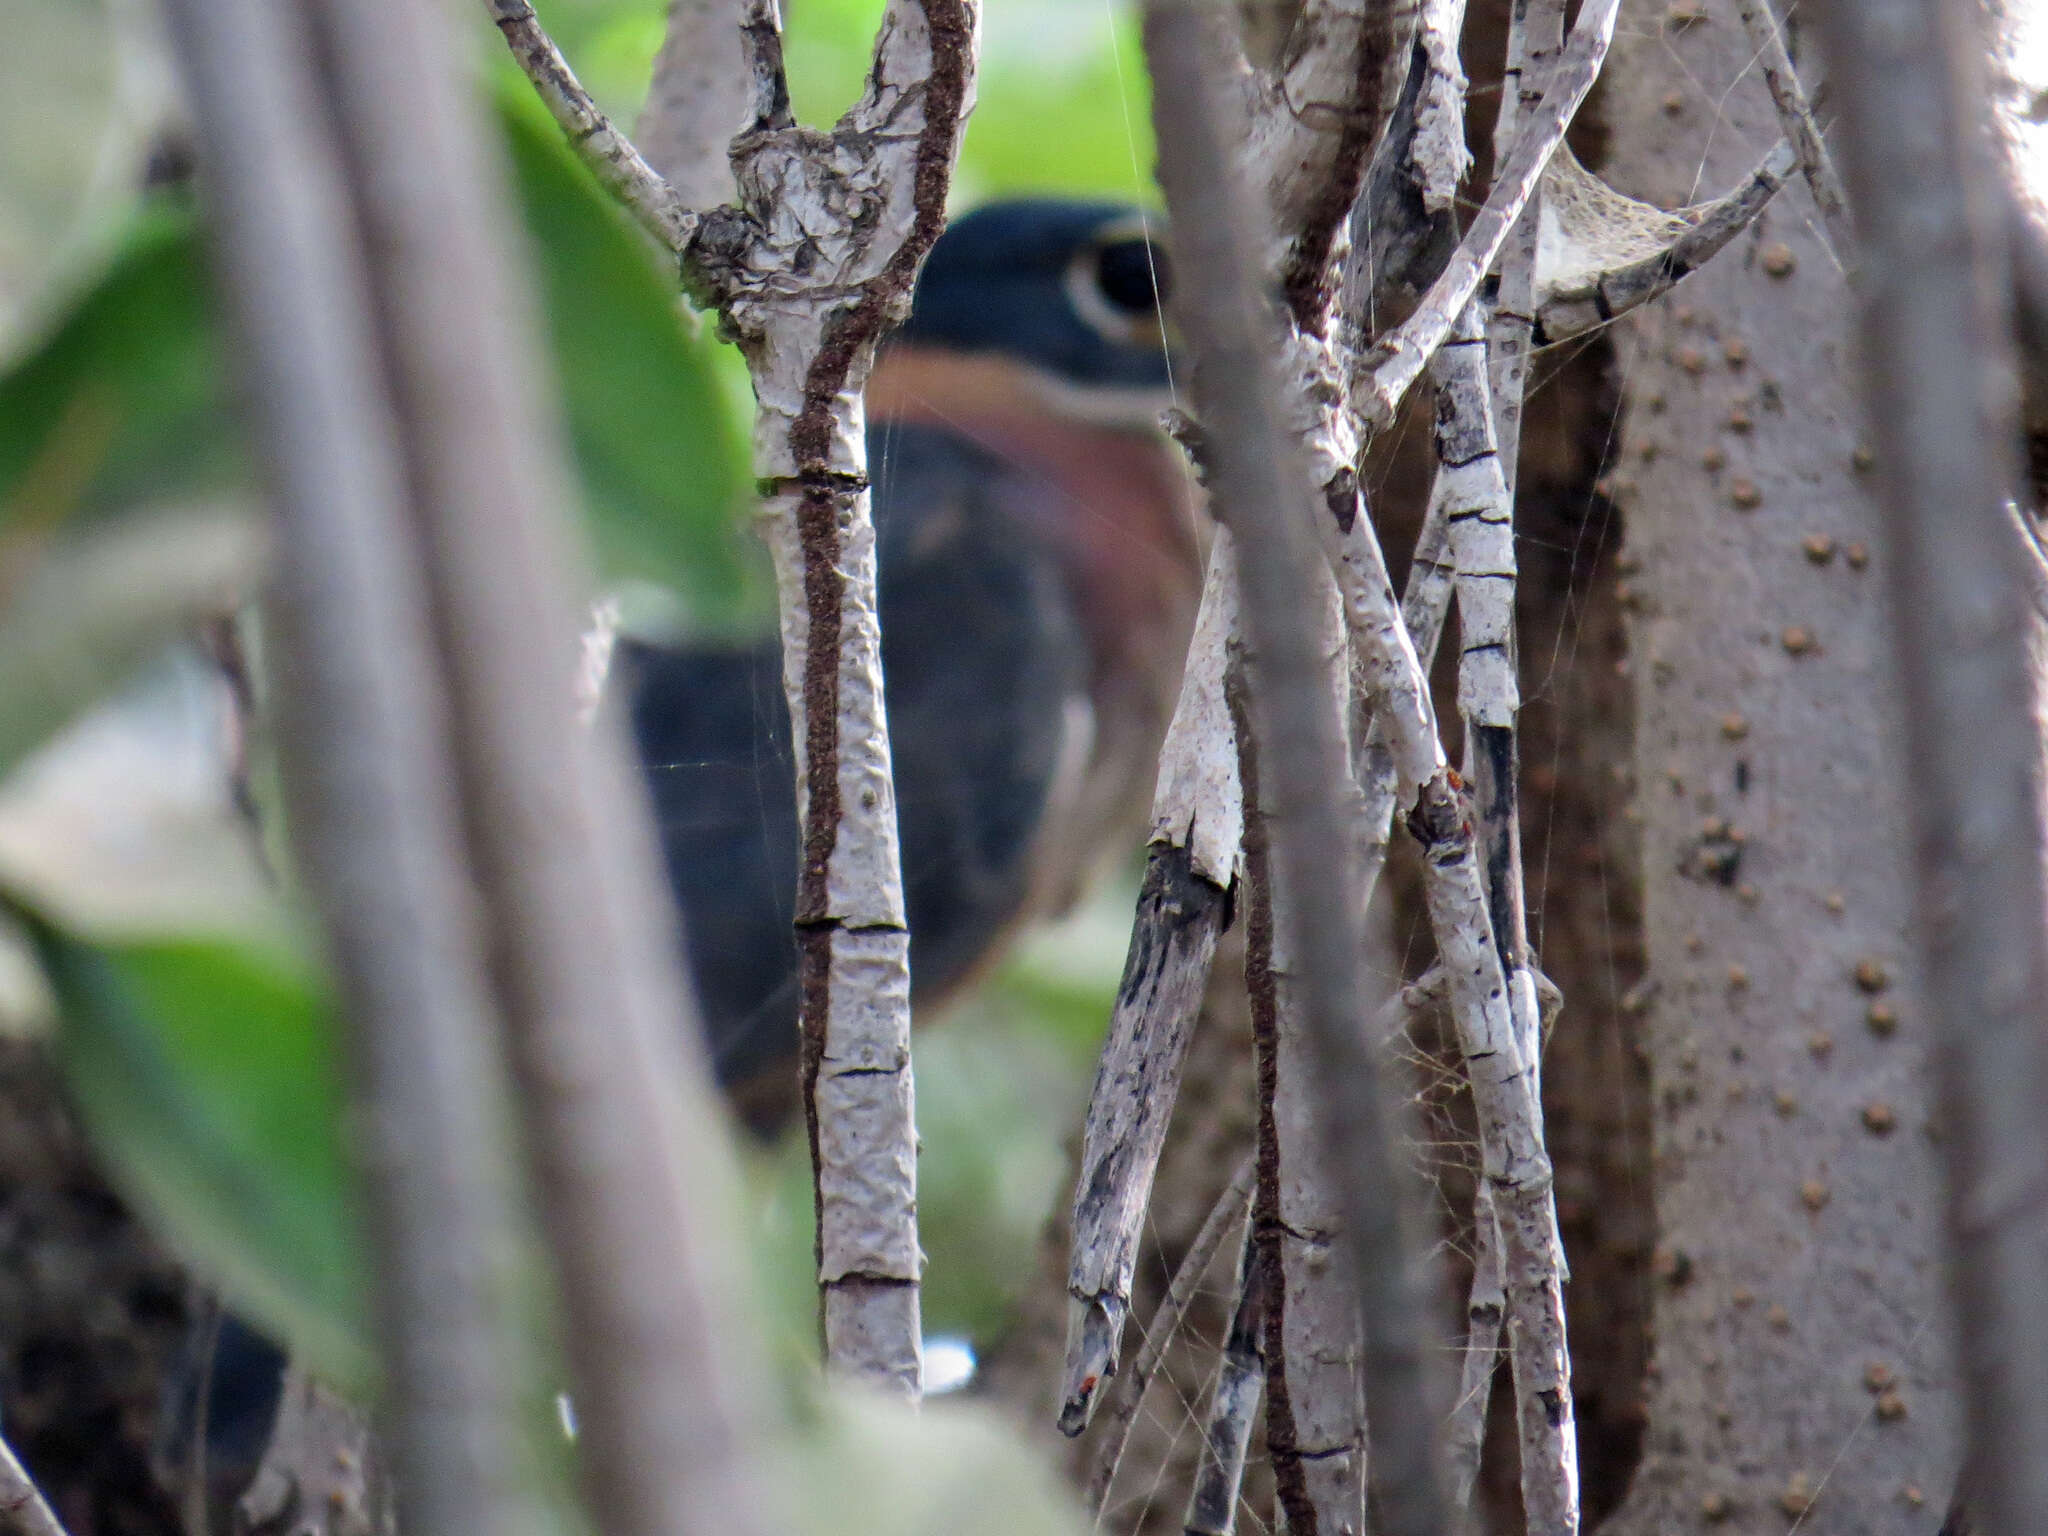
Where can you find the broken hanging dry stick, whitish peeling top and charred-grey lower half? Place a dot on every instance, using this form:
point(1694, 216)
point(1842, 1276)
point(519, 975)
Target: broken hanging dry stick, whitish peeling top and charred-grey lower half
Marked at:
point(1183, 904)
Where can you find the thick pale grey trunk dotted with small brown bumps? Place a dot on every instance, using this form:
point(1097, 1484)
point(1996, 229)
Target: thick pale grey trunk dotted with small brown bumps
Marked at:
point(1801, 1365)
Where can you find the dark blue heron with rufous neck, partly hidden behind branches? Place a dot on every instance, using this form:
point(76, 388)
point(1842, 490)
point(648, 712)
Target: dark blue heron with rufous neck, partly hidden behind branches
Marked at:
point(1037, 579)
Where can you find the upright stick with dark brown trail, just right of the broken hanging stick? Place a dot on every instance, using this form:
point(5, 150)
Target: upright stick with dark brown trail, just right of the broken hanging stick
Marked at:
point(1316, 1412)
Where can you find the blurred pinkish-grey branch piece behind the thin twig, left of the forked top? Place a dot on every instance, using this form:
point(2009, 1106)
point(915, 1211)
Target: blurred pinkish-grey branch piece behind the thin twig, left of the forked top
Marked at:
point(699, 99)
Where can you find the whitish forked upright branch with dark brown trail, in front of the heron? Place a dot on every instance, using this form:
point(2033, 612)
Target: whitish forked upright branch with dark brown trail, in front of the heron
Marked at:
point(816, 263)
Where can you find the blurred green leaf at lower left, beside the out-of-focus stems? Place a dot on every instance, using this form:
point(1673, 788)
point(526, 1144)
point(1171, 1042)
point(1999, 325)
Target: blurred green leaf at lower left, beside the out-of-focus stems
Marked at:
point(208, 1074)
